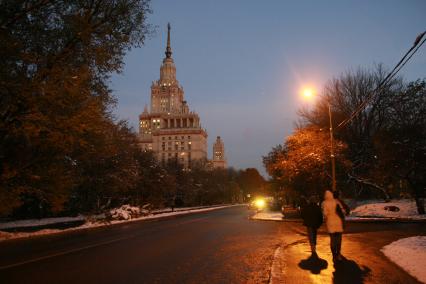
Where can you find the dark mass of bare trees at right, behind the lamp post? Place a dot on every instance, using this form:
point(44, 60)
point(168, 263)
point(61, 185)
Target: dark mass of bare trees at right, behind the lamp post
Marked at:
point(386, 140)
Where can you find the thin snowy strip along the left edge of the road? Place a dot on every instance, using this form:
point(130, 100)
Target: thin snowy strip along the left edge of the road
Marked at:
point(100, 223)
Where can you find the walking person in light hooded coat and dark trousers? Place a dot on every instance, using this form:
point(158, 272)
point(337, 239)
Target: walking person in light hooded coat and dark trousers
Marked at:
point(333, 213)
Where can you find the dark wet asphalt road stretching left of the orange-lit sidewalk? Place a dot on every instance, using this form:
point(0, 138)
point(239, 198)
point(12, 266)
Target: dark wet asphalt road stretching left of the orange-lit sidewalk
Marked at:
point(221, 246)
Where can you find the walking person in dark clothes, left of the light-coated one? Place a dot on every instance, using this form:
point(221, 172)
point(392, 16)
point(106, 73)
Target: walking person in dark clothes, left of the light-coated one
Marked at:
point(312, 219)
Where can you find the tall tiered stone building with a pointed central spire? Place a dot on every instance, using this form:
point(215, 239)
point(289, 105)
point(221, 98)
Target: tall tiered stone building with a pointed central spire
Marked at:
point(169, 128)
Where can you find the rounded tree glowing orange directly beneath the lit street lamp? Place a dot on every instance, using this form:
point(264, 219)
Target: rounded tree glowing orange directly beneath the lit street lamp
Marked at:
point(303, 164)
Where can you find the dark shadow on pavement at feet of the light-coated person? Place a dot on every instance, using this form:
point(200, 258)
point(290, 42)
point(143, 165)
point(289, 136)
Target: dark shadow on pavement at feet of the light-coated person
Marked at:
point(348, 271)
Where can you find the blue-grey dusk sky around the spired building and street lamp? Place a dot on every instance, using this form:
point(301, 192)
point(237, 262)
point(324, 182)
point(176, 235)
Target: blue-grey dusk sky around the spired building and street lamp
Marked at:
point(242, 64)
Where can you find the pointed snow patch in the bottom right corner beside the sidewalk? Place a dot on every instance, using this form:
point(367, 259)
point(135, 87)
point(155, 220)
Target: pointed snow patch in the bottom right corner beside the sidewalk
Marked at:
point(410, 254)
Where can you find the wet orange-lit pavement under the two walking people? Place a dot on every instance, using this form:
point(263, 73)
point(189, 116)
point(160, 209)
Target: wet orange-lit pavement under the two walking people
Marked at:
point(362, 260)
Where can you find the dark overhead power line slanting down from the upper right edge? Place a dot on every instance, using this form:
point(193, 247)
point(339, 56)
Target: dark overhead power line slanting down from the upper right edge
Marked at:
point(407, 56)
